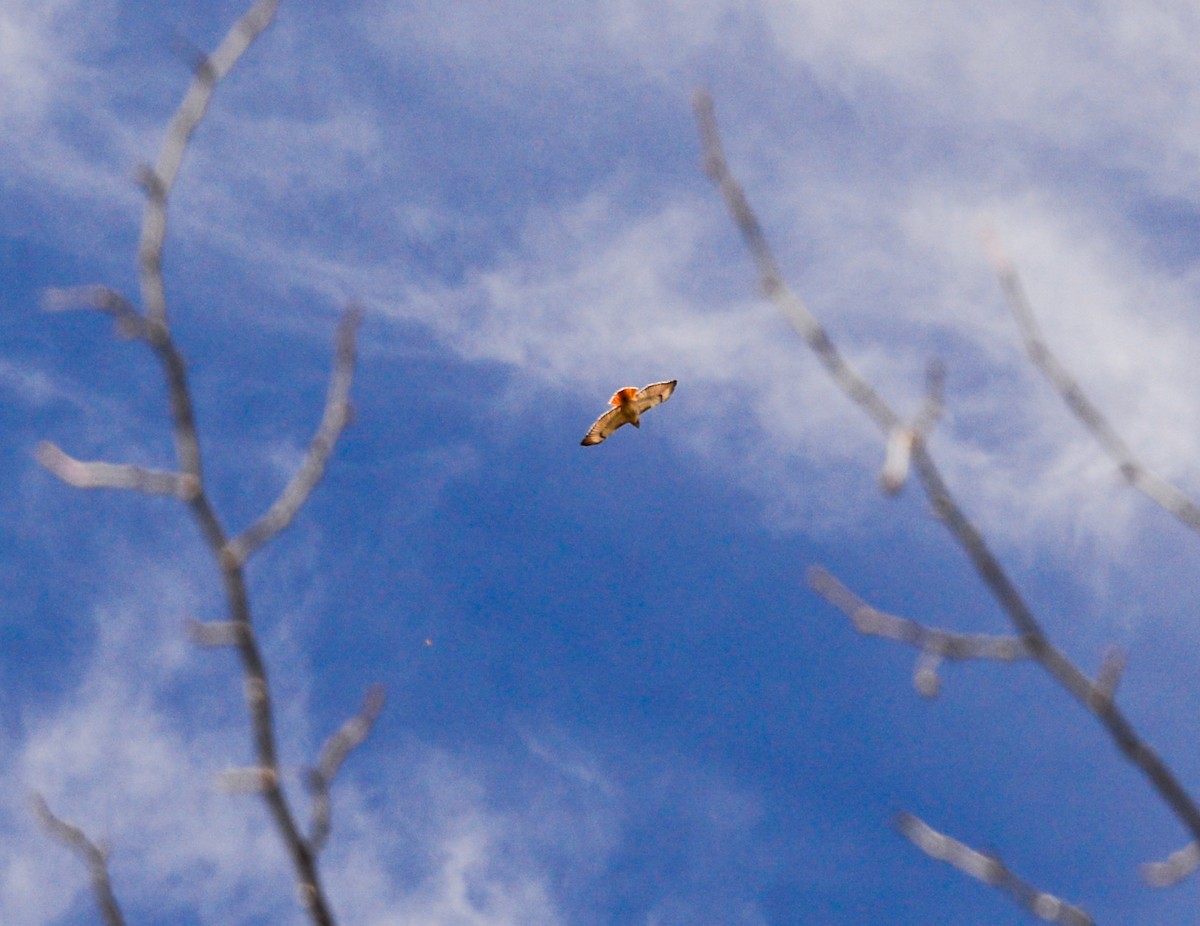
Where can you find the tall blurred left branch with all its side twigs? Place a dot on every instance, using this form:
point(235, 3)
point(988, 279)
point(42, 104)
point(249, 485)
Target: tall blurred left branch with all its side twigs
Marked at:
point(188, 484)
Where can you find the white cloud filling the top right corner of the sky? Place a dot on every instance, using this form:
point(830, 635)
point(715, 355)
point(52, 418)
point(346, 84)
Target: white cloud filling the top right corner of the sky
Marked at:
point(1118, 82)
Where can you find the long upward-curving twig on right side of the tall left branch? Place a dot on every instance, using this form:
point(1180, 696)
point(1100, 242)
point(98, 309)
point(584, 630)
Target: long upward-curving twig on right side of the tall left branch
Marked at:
point(334, 422)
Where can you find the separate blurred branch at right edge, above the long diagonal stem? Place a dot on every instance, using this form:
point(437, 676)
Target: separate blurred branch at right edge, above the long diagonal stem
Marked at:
point(1163, 494)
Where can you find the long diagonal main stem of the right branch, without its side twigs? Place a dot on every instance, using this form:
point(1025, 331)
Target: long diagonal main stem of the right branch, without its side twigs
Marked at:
point(1097, 700)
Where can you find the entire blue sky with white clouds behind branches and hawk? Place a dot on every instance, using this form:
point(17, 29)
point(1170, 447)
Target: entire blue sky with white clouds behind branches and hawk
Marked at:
point(613, 697)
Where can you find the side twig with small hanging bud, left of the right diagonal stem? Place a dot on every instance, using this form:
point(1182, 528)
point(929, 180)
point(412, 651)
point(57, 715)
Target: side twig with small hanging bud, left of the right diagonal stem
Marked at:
point(934, 645)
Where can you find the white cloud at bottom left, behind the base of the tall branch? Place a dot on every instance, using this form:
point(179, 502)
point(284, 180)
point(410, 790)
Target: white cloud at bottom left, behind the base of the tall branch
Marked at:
point(131, 755)
